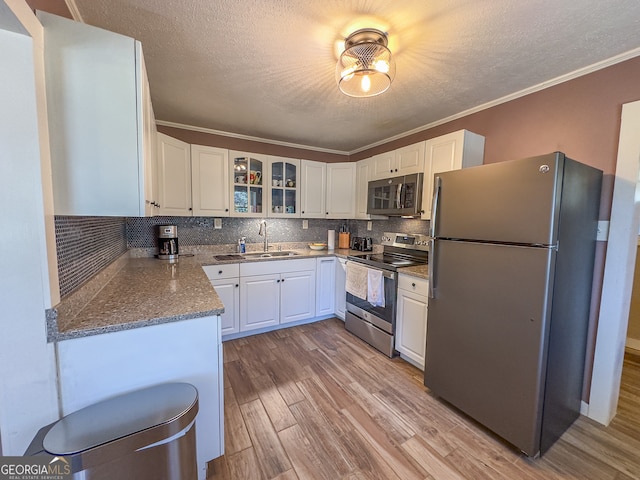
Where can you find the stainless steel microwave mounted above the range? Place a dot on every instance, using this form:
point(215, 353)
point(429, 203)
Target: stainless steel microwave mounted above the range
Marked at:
point(397, 196)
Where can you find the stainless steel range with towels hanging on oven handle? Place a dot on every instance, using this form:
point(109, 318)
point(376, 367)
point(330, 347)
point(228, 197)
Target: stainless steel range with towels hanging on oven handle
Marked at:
point(371, 320)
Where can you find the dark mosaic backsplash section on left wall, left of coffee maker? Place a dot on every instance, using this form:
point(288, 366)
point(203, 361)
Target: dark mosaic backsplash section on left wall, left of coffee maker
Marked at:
point(85, 246)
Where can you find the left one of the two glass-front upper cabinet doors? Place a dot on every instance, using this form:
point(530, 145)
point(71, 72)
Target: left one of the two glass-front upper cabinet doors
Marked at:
point(249, 189)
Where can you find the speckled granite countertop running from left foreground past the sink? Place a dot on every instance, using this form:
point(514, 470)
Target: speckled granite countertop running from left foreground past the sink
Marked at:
point(144, 291)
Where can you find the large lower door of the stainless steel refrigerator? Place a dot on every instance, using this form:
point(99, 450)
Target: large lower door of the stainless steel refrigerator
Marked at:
point(487, 335)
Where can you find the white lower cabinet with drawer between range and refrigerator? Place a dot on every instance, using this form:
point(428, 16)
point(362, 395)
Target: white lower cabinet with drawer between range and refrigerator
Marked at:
point(411, 319)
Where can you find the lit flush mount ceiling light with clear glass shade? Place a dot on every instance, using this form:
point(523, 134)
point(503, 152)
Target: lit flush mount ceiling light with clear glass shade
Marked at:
point(365, 68)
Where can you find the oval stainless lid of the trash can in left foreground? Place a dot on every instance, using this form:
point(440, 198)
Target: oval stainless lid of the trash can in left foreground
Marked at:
point(119, 417)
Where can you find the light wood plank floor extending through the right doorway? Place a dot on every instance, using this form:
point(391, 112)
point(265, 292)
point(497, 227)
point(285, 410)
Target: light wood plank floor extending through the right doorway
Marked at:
point(314, 402)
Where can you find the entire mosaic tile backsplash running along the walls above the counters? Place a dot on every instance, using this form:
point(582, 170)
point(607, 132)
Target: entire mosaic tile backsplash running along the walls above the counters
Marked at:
point(86, 245)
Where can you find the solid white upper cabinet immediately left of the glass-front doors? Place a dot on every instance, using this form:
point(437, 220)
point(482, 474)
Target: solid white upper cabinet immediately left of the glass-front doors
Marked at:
point(210, 181)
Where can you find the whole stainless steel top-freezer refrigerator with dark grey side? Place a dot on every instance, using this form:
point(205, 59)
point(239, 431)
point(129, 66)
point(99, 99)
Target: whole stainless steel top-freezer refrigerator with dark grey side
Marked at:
point(510, 272)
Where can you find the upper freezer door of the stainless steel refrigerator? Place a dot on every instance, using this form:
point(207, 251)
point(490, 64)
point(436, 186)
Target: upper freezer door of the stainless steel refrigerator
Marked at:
point(501, 202)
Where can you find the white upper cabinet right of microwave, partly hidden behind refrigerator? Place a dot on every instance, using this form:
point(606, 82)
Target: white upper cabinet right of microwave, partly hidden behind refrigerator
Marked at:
point(453, 151)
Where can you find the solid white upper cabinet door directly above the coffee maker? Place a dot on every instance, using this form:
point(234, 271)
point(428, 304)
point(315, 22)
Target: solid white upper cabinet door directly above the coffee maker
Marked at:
point(174, 176)
